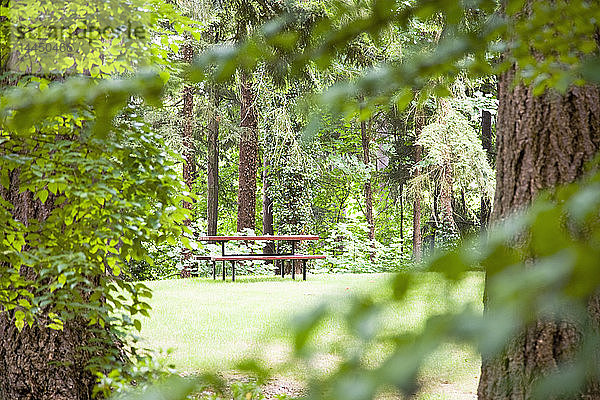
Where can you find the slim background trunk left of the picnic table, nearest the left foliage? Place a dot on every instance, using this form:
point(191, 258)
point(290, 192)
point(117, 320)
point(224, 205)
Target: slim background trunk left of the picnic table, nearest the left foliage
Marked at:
point(188, 151)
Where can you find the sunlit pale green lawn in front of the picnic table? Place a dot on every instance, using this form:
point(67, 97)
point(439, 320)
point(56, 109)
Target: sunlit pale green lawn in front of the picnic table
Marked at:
point(209, 325)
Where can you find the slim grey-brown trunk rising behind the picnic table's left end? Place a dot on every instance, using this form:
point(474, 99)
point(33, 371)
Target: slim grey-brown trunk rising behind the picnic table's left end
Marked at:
point(212, 197)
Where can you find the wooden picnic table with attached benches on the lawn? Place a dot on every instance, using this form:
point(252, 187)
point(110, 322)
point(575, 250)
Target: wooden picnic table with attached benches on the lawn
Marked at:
point(291, 255)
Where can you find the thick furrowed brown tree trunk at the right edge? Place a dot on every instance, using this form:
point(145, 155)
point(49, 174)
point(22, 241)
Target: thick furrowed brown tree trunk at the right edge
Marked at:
point(541, 142)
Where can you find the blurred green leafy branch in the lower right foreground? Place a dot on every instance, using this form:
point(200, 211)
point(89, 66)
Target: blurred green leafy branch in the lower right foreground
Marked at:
point(560, 238)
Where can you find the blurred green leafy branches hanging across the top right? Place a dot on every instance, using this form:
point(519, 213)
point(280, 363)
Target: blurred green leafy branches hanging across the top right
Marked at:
point(566, 45)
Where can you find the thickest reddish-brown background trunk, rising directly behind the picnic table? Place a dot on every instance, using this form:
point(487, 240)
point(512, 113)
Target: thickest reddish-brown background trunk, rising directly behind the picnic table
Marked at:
point(248, 165)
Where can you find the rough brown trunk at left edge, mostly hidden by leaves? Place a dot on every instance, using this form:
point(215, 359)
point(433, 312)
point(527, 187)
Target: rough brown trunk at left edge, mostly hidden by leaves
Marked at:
point(40, 363)
